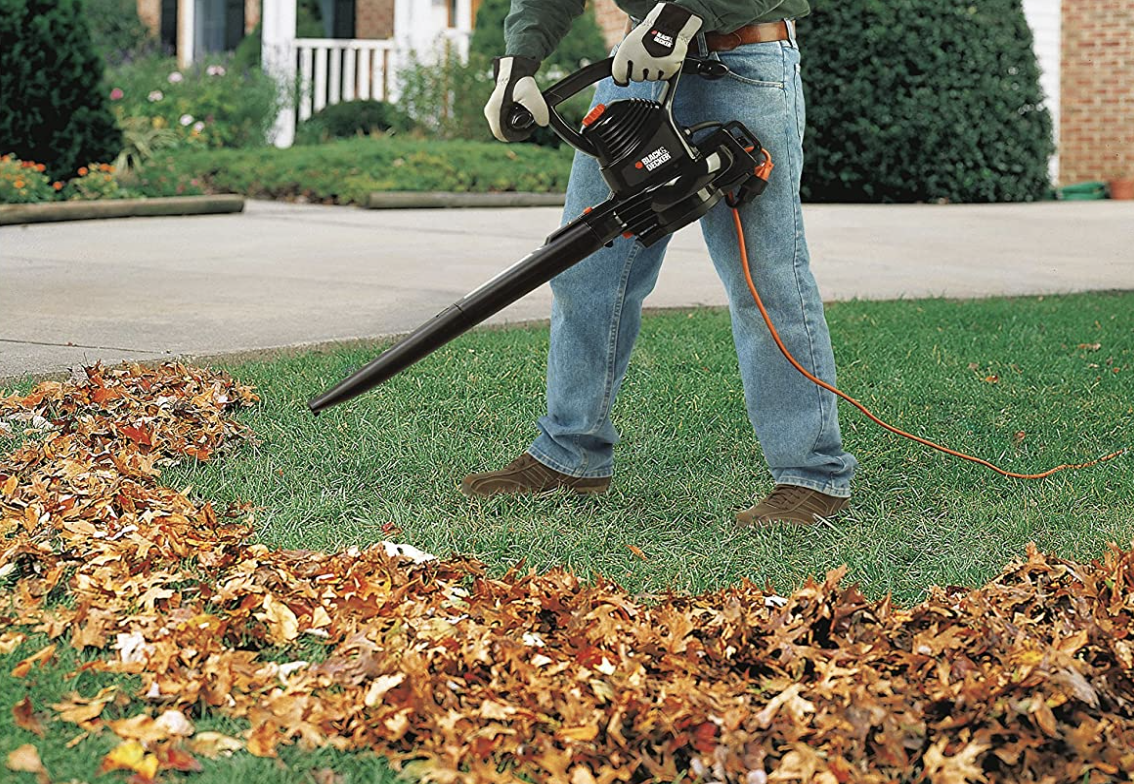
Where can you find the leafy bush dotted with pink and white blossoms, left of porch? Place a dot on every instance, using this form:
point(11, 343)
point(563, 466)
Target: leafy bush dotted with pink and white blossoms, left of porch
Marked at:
point(210, 105)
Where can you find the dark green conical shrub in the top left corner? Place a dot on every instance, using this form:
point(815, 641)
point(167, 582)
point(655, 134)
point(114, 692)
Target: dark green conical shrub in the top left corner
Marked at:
point(54, 108)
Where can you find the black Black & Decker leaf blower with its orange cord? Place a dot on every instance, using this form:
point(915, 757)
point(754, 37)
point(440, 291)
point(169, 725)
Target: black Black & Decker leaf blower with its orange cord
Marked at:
point(662, 179)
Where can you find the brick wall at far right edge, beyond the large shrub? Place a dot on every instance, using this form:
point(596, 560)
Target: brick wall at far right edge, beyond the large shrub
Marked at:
point(1097, 97)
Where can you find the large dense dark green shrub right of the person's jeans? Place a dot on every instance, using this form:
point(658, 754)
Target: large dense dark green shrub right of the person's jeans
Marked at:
point(923, 100)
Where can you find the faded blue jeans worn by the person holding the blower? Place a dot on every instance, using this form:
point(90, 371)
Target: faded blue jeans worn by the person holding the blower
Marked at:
point(598, 304)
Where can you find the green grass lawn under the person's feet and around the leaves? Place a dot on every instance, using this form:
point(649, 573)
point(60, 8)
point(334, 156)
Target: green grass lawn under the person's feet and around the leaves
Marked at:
point(387, 466)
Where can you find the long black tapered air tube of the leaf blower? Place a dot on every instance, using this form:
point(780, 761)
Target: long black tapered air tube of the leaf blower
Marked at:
point(565, 249)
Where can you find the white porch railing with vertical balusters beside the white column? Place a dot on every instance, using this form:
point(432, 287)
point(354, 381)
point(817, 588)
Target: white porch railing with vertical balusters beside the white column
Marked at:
point(332, 71)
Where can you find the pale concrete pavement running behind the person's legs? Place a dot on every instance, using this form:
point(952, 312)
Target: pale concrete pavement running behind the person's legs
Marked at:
point(283, 275)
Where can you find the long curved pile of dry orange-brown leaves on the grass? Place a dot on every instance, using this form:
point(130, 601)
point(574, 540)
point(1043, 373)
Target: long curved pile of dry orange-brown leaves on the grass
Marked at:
point(547, 678)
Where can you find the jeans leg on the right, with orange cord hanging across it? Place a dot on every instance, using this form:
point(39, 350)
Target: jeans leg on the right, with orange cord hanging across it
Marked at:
point(796, 421)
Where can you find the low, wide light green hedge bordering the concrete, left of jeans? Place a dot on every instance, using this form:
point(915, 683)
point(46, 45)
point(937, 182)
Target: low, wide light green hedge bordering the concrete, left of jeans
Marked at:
point(346, 172)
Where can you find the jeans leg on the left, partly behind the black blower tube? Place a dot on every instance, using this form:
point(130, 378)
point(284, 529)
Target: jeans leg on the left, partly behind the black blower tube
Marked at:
point(596, 317)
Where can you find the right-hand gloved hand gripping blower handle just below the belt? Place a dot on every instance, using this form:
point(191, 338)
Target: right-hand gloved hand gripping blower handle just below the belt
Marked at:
point(656, 49)
